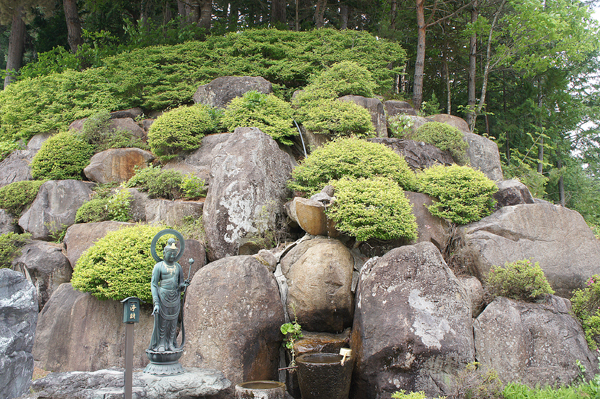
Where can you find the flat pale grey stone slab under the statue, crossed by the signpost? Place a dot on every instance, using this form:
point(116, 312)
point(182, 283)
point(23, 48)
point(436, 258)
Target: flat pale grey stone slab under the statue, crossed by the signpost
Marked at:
point(108, 383)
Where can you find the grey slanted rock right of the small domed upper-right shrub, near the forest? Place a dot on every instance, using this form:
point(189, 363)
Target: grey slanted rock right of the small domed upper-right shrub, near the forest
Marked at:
point(484, 156)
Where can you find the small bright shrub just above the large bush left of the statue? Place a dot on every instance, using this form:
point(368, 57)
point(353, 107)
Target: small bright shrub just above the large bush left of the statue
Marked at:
point(116, 207)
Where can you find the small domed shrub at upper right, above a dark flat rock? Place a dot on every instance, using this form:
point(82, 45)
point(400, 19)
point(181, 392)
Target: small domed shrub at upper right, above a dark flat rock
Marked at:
point(445, 137)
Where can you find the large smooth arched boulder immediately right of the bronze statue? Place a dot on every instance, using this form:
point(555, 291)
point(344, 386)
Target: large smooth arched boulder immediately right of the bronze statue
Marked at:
point(232, 318)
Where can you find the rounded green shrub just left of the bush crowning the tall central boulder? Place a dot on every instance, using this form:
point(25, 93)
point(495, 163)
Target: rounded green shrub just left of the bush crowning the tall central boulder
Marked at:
point(179, 130)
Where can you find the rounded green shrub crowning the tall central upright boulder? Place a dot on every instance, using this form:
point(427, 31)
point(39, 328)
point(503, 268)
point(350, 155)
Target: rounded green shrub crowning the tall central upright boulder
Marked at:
point(268, 113)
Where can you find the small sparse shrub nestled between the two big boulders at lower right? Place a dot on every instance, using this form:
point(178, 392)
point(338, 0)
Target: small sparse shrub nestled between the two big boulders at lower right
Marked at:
point(519, 280)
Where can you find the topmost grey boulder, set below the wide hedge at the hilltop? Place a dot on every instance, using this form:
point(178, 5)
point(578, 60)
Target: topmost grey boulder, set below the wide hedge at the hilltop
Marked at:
point(221, 91)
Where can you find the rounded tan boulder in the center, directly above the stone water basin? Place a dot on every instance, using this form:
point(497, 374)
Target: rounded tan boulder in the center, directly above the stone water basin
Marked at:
point(319, 279)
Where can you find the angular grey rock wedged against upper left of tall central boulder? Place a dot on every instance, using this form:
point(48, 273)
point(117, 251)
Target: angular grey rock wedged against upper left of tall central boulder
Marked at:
point(198, 162)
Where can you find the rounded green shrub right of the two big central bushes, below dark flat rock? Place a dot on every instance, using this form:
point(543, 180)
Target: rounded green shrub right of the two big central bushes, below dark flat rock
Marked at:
point(463, 195)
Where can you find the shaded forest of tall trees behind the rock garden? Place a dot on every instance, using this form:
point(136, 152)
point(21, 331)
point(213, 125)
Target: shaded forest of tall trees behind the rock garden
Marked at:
point(522, 72)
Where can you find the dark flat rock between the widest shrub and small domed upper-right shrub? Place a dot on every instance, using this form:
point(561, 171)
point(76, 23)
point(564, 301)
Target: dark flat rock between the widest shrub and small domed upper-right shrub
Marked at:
point(417, 154)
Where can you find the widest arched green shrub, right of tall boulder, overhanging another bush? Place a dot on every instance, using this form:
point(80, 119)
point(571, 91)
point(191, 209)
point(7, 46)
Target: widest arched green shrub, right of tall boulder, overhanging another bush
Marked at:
point(350, 157)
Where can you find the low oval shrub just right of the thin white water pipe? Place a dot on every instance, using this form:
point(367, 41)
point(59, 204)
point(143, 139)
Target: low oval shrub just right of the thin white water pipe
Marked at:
point(337, 118)
